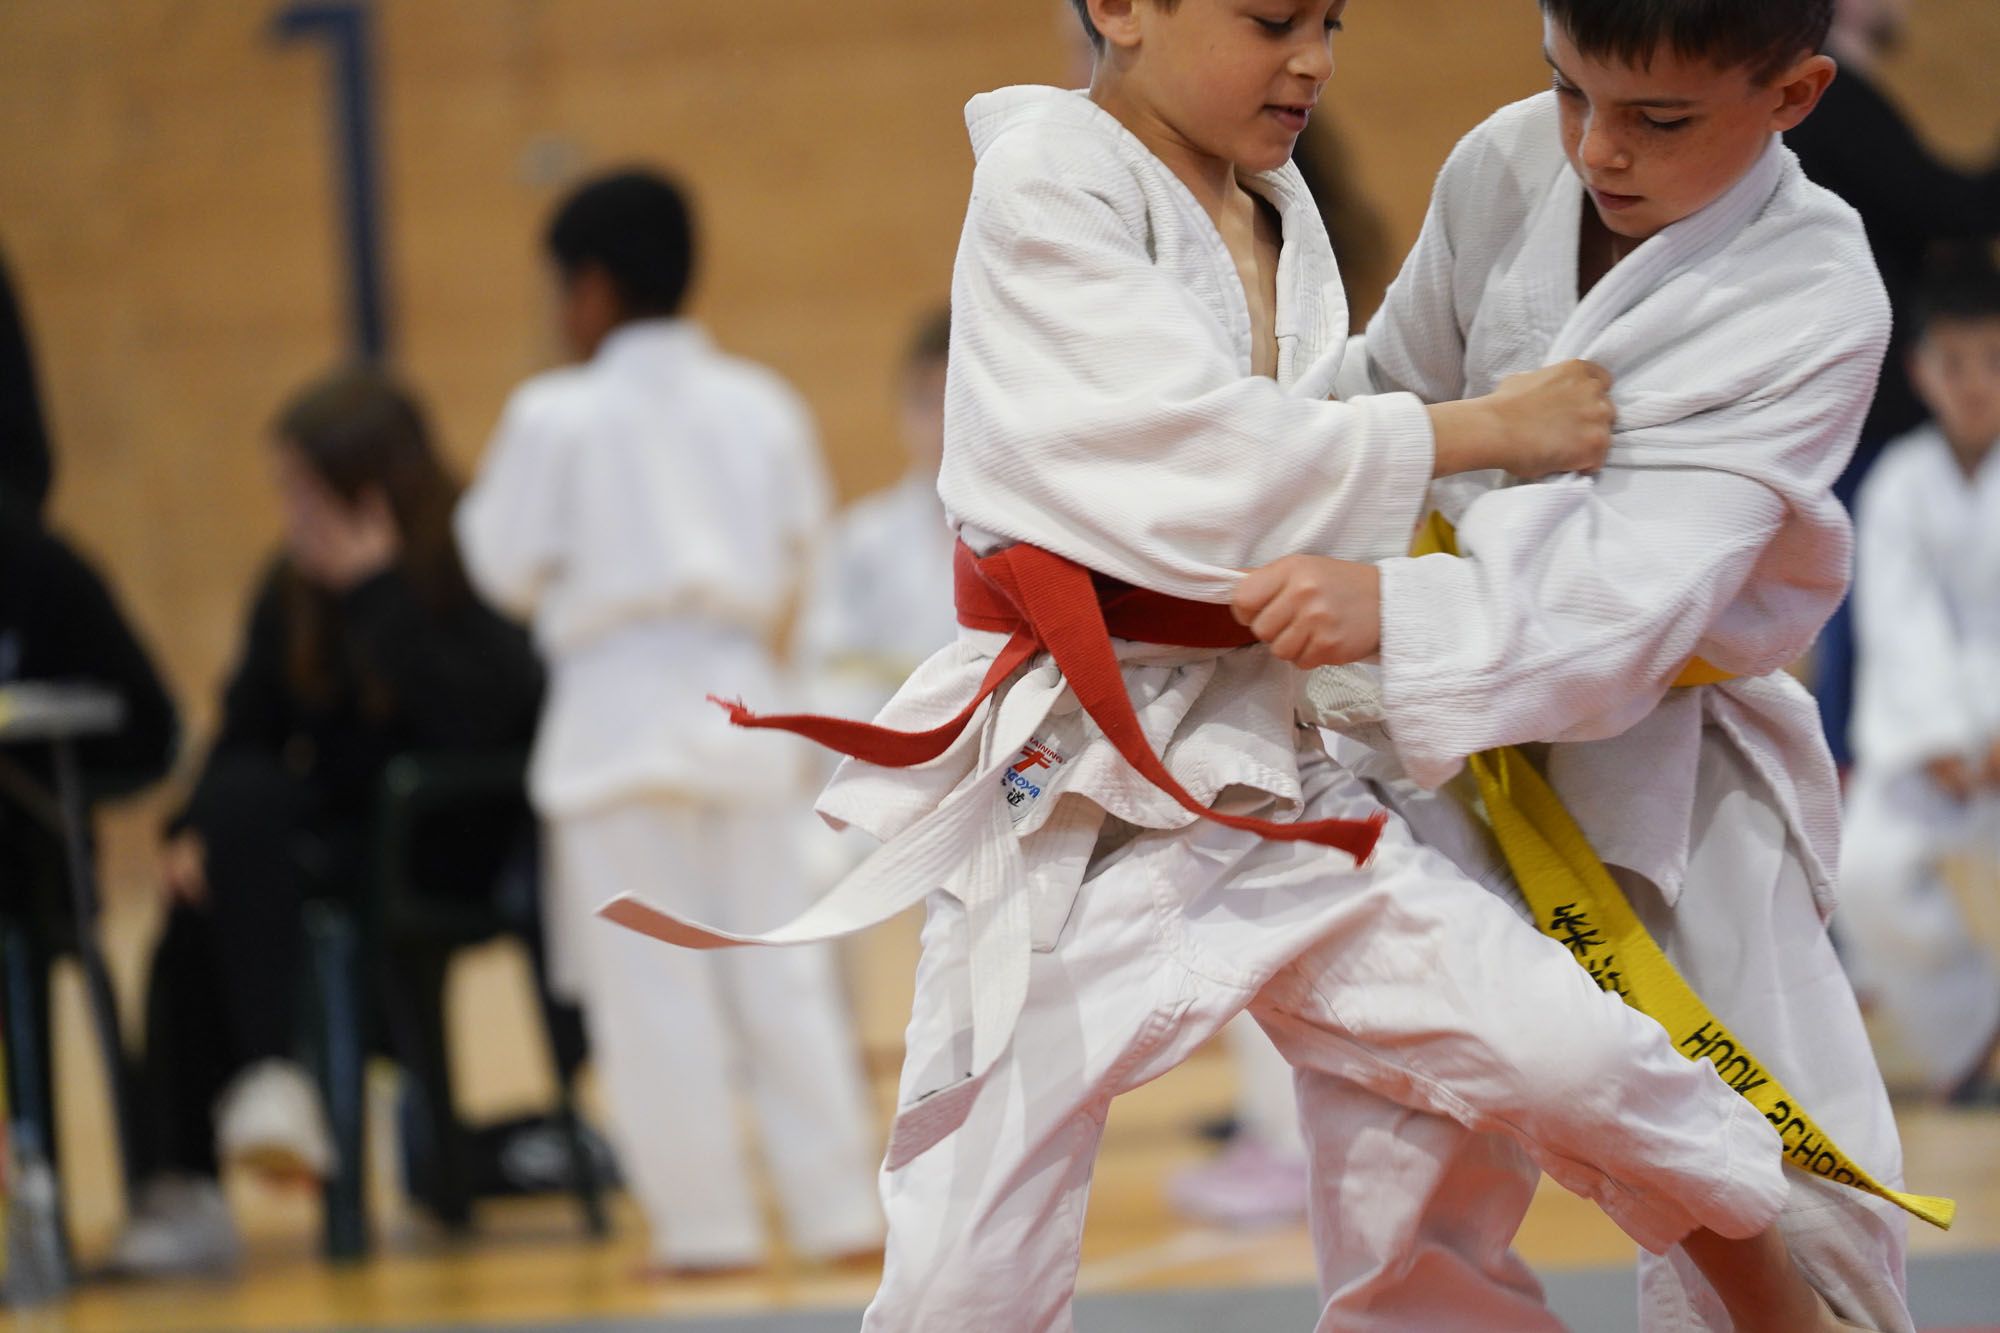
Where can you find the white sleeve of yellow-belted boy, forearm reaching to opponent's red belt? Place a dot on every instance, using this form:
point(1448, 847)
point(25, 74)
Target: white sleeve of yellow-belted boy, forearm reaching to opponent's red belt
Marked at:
point(1573, 613)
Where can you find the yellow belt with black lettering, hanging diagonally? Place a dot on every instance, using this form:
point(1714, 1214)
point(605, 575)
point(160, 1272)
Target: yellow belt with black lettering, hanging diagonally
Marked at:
point(1577, 904)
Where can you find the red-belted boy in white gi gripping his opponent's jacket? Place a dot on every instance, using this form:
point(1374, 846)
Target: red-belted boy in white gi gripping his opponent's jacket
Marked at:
point(1147, 329)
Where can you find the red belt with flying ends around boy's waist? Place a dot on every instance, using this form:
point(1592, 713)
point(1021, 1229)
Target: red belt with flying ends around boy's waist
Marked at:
point(1047, 603)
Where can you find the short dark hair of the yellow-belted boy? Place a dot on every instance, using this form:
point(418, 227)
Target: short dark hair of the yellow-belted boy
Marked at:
point(1759, 35)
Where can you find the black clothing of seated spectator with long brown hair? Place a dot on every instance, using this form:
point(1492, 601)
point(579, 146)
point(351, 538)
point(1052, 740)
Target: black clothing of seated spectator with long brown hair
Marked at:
point(285, 808)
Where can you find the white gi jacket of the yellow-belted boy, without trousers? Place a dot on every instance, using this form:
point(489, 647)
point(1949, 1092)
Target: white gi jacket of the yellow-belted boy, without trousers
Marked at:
point(1745, 343)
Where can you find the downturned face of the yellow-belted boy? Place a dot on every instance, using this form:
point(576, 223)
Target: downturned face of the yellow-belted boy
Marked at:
point(1659, 145)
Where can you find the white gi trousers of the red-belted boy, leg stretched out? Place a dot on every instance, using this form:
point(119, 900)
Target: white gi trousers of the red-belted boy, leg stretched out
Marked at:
point(1401, 976)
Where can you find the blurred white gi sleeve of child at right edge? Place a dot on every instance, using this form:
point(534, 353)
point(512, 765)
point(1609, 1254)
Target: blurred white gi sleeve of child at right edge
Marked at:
point(1913, 702)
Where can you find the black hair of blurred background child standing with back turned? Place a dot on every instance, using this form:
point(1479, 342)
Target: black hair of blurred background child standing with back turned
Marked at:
point(637, 227)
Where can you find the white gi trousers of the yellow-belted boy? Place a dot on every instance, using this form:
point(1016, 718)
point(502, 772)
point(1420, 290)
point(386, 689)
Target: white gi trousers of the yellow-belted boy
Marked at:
point(1749, 938)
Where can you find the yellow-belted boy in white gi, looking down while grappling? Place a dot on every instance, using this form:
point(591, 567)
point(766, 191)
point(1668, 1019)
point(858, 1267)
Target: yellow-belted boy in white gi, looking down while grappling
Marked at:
point(1643, 215)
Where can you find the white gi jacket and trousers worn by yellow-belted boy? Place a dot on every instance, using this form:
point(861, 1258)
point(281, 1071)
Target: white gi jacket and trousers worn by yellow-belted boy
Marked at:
point(1745, 343)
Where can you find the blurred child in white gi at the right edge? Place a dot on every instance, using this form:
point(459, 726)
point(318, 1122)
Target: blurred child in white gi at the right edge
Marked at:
point(1927, 730)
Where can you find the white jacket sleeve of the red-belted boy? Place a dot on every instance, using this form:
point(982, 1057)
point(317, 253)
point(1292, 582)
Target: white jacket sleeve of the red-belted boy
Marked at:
point(1101, 411)
